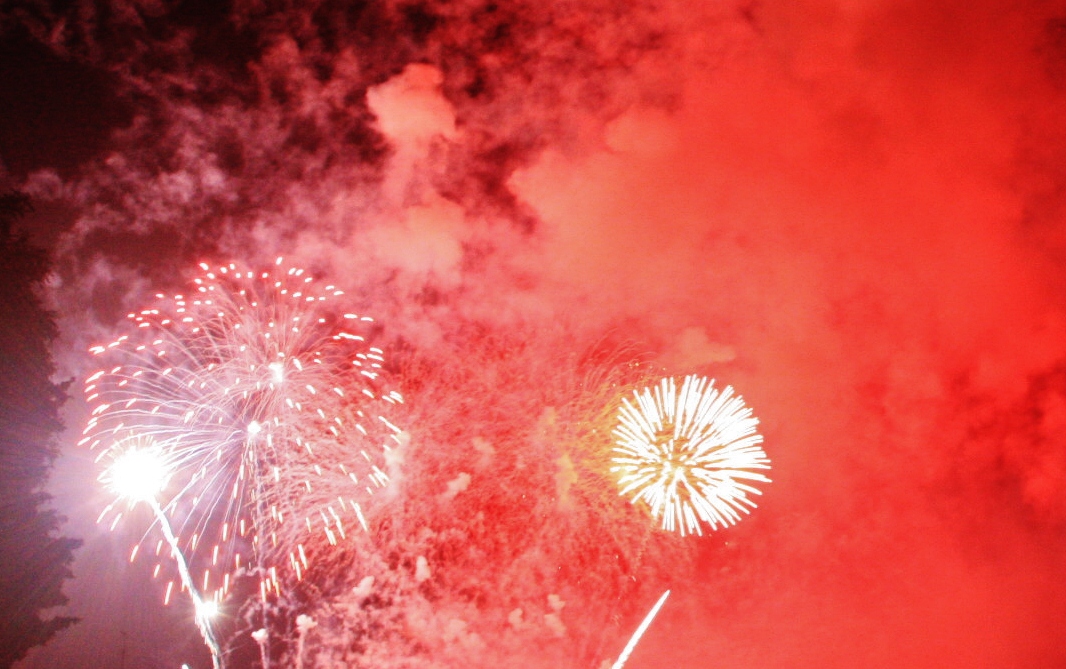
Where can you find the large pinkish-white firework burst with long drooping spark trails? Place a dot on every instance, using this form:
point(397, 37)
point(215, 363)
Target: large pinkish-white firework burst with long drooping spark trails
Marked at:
point(266, 410)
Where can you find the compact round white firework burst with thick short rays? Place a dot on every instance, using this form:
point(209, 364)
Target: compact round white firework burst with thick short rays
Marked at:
point(688, 454)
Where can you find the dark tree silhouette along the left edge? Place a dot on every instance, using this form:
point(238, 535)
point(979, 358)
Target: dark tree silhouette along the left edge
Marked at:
point(35, 561)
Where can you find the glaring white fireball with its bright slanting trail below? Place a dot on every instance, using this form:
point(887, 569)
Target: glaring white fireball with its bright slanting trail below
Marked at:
point(139, 474)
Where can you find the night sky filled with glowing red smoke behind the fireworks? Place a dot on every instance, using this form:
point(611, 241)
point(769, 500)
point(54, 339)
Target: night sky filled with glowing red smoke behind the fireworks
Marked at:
point(853, 214)
